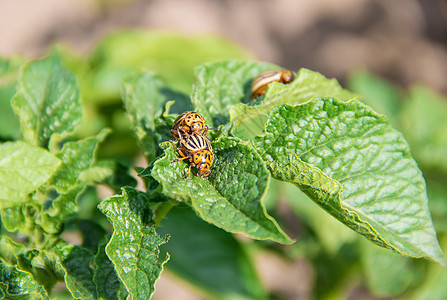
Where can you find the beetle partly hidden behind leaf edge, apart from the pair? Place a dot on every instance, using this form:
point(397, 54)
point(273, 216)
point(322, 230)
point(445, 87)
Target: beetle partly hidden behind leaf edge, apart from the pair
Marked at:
point(260, 83)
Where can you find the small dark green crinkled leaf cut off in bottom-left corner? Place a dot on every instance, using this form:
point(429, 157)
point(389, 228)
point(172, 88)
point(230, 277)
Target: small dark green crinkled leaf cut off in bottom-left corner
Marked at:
point(17, 284)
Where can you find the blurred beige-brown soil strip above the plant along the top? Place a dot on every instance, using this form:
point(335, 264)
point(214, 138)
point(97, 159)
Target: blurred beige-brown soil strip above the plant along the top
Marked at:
point(403, 40)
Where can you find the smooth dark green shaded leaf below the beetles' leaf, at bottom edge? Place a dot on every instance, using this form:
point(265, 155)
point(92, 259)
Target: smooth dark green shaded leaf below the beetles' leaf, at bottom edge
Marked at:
point(209, 257)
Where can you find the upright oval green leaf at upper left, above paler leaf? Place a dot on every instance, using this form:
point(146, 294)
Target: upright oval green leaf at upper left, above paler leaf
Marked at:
point(47, 101)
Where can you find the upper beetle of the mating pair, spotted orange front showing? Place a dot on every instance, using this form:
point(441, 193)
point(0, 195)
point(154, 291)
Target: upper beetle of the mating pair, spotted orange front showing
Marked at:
point(188, 123)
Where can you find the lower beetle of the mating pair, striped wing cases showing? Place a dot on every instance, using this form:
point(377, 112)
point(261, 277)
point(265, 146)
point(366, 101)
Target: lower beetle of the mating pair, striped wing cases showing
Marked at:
point(198, 150)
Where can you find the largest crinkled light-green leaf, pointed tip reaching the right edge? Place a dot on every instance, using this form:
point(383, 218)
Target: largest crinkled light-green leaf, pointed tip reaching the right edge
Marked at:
point(351, 162)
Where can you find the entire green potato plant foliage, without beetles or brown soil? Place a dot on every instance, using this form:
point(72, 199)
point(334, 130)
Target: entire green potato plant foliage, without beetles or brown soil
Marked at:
point(345, 170)
